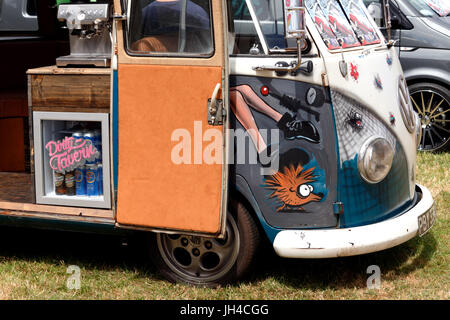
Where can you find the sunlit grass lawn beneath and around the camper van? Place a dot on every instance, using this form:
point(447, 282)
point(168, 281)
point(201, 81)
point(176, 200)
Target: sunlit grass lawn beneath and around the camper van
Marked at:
point(33, 264)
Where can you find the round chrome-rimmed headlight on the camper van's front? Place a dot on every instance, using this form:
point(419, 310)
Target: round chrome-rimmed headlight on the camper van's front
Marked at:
point(375, 159)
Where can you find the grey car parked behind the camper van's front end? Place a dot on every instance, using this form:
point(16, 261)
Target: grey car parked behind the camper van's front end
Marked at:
point(422, 35)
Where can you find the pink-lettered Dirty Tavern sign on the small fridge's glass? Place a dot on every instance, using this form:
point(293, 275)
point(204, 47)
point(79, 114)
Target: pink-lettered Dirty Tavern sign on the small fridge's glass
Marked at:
point(70, 153)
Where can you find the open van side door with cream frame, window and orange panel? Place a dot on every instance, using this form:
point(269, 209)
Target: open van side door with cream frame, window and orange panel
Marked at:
point(166, 179)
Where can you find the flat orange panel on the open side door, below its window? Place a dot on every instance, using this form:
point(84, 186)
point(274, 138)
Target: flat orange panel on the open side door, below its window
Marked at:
point(153, 190)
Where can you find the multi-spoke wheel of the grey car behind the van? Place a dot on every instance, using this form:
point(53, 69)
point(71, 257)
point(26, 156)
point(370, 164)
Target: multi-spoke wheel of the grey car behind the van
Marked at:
point(431, 102)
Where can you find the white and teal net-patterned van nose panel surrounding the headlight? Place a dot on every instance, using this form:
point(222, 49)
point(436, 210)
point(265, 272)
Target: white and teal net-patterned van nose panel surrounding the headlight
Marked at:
point(365, 203)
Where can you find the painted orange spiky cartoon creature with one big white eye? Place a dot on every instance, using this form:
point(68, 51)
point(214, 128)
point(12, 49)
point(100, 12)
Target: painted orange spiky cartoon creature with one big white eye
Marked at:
point(291, 186)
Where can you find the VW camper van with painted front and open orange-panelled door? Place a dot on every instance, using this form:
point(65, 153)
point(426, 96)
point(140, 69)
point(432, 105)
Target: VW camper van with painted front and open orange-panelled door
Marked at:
point(213, 124)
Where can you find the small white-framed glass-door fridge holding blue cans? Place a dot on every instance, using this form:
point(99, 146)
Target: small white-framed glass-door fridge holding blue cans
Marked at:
point(72, 159)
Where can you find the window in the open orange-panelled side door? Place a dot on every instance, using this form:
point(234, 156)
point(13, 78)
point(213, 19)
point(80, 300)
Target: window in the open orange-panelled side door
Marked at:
point(171, 27)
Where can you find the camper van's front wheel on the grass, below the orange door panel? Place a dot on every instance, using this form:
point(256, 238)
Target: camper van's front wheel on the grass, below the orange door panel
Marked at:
point(209, 262)
